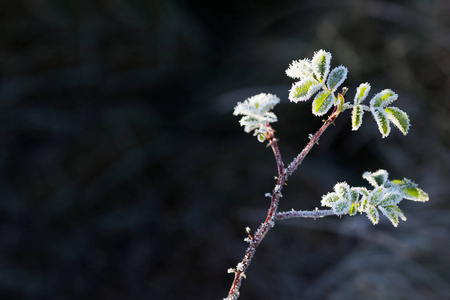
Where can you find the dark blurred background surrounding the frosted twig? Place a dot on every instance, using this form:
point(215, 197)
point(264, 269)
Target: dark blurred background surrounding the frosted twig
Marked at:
point(124, 174)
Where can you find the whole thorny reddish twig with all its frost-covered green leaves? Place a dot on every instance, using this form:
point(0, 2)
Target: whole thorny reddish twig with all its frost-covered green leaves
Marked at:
point(317, 78)
